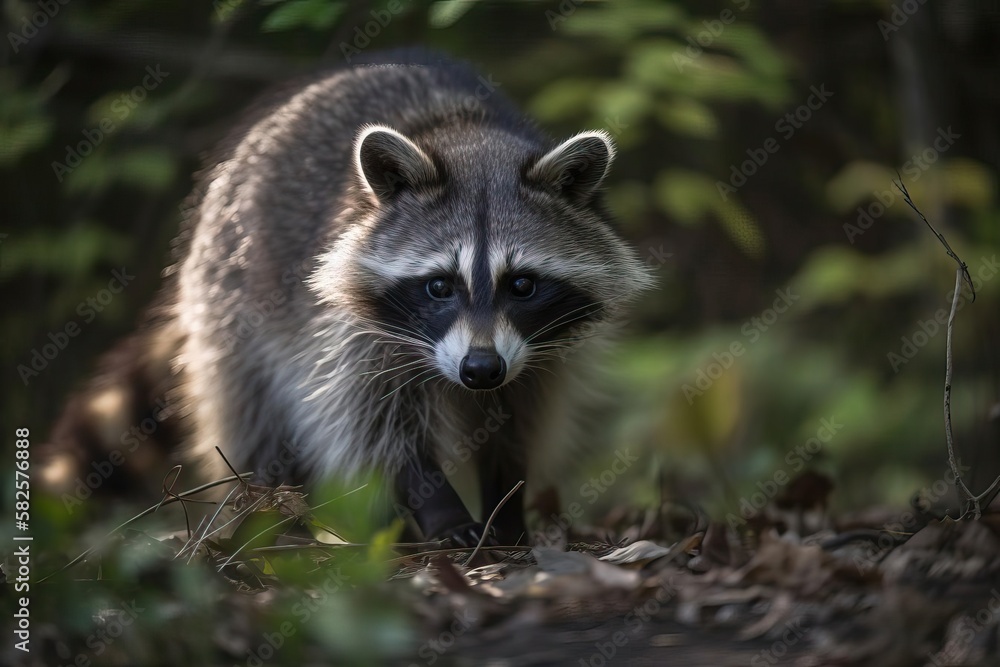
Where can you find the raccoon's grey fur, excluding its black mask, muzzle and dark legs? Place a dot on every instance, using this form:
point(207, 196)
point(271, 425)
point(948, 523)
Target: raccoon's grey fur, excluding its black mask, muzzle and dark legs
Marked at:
point(295, 220)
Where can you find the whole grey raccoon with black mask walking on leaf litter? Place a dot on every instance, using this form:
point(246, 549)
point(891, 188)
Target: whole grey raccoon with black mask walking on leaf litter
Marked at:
point(384, 261)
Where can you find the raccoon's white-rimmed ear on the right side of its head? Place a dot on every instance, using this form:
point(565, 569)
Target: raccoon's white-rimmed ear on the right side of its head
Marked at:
point(575, 168)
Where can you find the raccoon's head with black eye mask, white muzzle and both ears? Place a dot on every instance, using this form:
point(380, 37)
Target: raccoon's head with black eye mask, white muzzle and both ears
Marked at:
point(483, 260)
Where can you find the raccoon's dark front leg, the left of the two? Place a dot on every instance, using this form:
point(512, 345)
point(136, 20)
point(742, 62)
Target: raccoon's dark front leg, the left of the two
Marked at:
point(437, 509)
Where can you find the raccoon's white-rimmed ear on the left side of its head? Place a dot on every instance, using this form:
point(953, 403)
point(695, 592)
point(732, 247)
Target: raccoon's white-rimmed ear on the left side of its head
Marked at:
point(386, 161)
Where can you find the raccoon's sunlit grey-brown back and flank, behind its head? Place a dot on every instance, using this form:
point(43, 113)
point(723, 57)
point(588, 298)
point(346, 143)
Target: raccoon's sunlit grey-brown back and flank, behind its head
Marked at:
point(259, 348)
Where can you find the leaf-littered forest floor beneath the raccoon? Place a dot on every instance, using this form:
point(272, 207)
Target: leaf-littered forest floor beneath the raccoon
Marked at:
point(787, 585)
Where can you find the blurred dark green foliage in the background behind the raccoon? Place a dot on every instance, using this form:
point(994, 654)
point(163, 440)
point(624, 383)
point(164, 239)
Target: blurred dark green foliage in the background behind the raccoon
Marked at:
point(691, 92)
